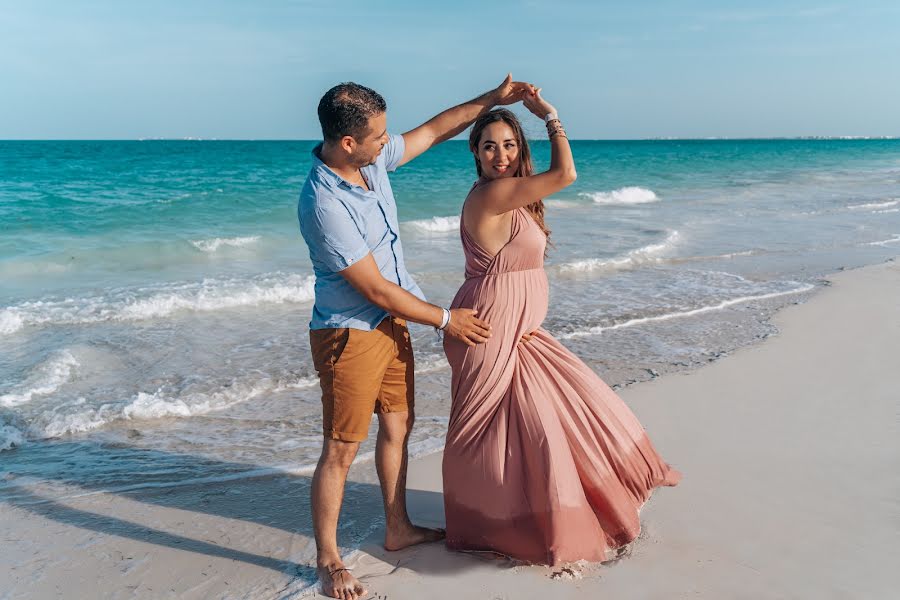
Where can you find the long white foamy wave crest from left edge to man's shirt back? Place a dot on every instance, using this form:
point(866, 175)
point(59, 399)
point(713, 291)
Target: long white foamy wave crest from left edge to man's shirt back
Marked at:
point(161, 301)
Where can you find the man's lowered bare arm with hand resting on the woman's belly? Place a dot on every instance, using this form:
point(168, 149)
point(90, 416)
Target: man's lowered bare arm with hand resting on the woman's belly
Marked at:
point(365, 277)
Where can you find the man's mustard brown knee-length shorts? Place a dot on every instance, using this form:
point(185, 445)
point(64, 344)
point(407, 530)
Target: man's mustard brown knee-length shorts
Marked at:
point(361, 373)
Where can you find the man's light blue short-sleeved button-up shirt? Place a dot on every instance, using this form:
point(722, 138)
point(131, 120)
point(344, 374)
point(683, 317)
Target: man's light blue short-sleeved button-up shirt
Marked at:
point(342, 223)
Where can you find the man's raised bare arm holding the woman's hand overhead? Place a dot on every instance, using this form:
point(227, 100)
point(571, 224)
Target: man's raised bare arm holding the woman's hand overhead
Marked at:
point(454, 120)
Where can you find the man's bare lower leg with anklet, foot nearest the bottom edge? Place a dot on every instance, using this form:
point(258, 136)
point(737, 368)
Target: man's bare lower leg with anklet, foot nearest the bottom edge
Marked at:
point(327, 497)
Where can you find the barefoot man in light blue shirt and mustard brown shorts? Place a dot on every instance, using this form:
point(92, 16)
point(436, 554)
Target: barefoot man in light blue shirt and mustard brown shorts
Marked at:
point(364, 296)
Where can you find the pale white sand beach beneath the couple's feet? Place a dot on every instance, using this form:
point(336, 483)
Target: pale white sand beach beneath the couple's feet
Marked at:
point(789, 449)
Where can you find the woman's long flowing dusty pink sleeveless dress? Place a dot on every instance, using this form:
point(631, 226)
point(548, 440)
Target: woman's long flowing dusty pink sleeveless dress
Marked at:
point(543, 461)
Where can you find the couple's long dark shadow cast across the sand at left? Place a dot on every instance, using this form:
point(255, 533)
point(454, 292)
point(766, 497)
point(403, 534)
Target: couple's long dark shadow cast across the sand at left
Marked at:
point(44, 478)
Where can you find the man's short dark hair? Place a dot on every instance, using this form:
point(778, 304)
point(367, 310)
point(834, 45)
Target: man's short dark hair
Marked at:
point(346, 108)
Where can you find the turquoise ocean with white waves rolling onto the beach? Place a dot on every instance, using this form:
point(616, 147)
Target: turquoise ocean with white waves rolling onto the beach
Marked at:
point(155, 295)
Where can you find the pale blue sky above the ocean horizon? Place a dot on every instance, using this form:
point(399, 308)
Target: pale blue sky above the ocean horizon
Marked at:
point(228, 69)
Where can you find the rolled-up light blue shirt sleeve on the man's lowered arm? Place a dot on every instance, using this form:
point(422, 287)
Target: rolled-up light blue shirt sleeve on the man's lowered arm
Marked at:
point(334, 240)
